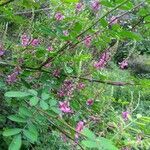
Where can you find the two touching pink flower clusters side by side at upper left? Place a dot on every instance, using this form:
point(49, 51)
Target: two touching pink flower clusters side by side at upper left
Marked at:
point(25, 40)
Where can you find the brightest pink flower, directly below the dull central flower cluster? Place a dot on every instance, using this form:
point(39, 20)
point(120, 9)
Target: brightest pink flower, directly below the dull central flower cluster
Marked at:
point(64, 107)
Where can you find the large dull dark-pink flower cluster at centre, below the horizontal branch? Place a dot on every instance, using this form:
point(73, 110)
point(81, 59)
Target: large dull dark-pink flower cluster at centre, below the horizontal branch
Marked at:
point(66, 89)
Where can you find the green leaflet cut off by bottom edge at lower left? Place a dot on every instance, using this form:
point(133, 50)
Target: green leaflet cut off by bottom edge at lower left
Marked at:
point(16, 143)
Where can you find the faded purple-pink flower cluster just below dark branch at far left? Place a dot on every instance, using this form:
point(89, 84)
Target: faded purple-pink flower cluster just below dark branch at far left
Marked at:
point(12, 78)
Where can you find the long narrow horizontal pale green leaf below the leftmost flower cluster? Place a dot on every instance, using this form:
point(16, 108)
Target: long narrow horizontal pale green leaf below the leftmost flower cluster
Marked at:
point(18, 94)
